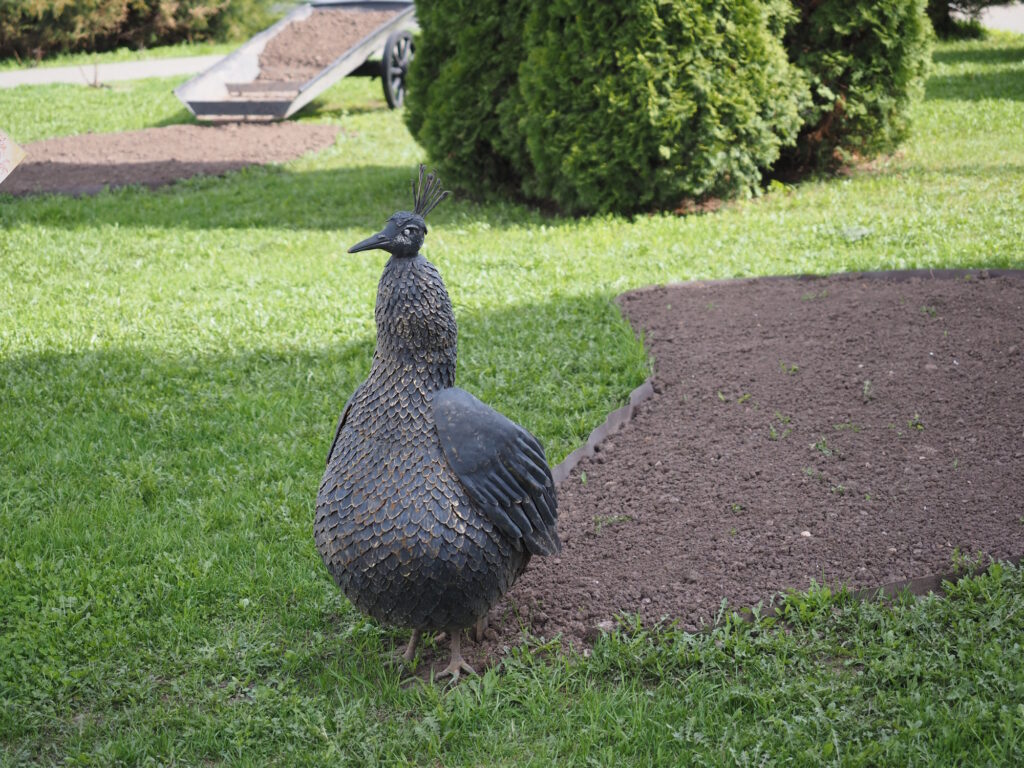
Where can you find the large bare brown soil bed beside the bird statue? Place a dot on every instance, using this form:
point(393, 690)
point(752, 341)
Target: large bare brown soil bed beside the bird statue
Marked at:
point(852, 431)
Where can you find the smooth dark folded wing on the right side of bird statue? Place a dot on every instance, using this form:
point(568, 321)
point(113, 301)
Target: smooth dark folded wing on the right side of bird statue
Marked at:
point(503, 468)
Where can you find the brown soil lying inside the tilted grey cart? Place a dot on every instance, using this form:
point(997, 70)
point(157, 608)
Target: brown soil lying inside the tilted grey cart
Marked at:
point(304, 49)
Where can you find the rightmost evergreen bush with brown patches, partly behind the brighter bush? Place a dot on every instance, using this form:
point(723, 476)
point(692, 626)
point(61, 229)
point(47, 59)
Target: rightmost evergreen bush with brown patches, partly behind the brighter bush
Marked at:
point(867, 61)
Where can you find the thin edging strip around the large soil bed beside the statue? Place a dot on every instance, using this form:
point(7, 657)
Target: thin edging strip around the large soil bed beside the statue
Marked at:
point(918, 586)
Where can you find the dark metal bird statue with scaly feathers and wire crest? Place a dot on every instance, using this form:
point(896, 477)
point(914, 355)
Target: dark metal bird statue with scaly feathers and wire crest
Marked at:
point(433, 503)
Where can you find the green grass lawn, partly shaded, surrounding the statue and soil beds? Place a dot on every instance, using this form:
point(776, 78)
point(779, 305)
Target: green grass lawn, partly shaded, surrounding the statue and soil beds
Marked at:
point(173, 364)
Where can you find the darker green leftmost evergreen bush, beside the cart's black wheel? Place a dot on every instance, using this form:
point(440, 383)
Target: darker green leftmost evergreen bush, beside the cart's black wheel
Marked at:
point(462, 99)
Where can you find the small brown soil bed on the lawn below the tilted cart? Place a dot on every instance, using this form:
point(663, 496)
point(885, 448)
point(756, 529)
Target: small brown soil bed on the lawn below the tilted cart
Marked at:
point(88, 164)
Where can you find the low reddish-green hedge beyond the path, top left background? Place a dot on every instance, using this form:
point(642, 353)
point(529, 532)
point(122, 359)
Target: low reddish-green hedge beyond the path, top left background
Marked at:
point(34, 29)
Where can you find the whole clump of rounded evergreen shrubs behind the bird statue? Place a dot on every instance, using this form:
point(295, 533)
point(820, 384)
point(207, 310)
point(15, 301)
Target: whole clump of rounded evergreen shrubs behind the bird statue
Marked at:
point(649, 104)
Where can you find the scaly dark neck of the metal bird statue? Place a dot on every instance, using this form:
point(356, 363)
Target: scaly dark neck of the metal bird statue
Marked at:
point(417, 337)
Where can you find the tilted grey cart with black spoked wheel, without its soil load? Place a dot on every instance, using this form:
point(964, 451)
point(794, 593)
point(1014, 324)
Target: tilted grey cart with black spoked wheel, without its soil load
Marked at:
point(231, 90)
